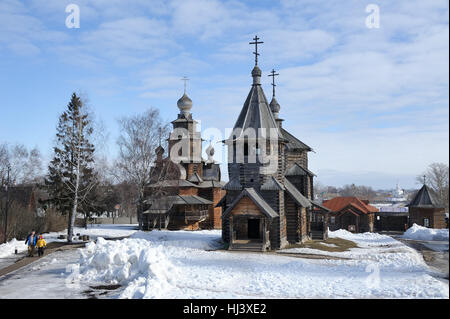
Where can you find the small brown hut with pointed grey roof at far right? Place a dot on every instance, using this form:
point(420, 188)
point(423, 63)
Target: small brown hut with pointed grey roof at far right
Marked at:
point(424, 210)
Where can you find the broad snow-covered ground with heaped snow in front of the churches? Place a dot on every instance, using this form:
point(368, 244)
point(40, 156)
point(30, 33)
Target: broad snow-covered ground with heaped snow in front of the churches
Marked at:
point(180, 264)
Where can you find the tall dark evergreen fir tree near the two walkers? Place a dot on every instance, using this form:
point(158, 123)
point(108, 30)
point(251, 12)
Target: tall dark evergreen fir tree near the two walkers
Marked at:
point(71, 177)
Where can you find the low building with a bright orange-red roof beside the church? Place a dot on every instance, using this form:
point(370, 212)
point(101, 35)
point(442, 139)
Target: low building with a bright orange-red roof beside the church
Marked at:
point(350, 213)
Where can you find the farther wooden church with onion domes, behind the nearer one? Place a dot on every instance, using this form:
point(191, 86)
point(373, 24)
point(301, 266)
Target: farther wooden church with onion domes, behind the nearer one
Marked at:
point(185, 187)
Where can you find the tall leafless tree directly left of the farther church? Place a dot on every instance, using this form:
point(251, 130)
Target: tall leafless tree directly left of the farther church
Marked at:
point(140, 136)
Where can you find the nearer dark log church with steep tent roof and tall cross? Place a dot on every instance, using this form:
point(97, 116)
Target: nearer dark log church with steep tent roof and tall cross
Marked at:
point(268, 203)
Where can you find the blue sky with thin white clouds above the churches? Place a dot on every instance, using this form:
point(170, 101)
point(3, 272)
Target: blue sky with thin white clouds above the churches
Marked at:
point(373, 103)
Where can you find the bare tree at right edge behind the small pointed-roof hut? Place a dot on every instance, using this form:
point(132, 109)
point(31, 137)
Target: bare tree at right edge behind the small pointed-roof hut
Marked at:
point(436, 177)
